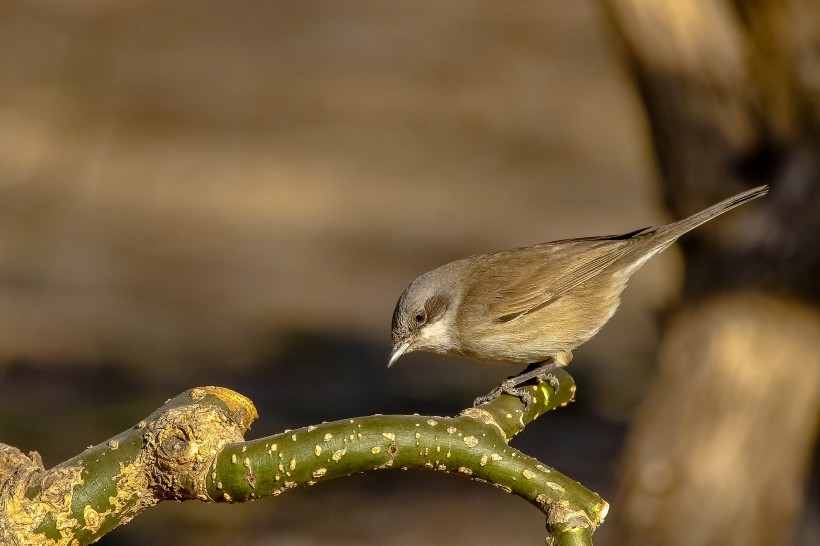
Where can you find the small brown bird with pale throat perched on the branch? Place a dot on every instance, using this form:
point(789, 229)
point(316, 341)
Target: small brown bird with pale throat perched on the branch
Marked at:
point(534, 304)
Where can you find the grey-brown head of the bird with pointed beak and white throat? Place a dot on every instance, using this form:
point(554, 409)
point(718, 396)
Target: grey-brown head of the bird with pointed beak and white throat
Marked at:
point(423, 319)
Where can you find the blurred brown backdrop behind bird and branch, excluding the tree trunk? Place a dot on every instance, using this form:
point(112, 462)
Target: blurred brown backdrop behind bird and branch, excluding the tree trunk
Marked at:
point(197, 193)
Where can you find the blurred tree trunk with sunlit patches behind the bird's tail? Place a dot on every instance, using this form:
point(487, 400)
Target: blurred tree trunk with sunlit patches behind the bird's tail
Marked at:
point(721, 449)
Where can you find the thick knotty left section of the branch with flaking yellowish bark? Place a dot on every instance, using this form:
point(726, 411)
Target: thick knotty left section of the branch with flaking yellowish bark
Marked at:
point(106, 485)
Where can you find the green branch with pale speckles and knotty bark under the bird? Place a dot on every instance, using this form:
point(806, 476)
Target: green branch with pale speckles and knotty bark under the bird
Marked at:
point(192, 448)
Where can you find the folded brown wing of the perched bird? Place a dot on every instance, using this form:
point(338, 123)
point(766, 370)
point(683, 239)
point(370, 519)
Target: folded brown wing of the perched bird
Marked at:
point(548, 271)
